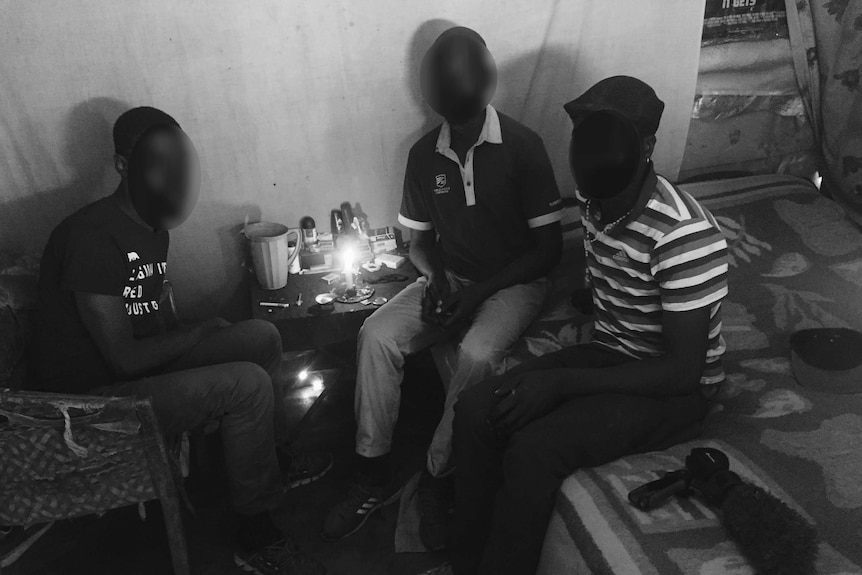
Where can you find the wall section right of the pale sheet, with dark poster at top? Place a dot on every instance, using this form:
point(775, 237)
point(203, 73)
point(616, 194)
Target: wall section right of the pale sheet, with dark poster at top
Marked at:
point(748, 112)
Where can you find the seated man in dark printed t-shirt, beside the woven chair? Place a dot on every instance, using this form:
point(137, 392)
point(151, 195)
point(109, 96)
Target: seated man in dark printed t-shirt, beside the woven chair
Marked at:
point(101, 331)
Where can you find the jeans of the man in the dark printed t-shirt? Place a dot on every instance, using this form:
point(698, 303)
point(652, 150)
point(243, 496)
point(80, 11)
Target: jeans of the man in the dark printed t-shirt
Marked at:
point(229, 376)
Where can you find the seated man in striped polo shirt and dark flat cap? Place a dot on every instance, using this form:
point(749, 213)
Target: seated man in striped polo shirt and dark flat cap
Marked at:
point(656, 267)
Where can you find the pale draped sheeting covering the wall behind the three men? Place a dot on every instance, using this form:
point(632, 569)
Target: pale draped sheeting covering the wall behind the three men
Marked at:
point(294, 106)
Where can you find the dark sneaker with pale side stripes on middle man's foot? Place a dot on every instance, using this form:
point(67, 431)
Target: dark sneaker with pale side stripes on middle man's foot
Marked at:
point(363, 498)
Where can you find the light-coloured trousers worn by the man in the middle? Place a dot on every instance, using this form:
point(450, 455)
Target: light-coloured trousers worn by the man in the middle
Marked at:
point(397, 330)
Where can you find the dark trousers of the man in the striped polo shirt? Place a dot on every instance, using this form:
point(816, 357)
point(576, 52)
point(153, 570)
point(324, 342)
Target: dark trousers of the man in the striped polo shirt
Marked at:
point(505, 488)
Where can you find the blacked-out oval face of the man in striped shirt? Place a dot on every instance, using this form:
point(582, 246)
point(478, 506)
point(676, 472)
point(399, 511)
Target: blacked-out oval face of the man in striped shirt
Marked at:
point(606, 155)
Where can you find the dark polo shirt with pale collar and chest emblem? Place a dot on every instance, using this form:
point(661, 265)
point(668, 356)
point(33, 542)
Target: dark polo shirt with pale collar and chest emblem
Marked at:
point(483, 210)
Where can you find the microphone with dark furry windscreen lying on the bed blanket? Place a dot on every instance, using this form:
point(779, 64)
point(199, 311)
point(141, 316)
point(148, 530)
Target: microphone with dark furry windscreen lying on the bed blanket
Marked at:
point(774, 538)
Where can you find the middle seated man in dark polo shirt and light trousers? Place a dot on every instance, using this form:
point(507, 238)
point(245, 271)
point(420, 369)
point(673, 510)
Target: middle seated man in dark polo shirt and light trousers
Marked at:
point(482, 201)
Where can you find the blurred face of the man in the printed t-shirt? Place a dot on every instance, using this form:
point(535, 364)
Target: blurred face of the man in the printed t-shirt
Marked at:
point(164, 177)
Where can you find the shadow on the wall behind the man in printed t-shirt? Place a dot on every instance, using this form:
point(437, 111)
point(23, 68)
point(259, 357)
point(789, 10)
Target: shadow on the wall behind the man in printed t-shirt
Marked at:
point(88, 152)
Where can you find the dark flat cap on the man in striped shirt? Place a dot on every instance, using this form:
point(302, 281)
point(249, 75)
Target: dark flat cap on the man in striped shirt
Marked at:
point(625, 96)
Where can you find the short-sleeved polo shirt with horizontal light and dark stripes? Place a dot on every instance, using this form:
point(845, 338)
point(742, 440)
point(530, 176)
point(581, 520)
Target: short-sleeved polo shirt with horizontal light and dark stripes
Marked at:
point(668, 256)
